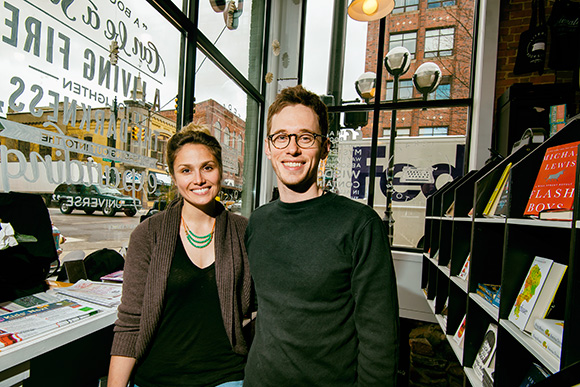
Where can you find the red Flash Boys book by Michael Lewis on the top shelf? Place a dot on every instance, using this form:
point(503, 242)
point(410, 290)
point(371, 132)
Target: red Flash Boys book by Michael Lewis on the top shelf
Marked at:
point(554, 186)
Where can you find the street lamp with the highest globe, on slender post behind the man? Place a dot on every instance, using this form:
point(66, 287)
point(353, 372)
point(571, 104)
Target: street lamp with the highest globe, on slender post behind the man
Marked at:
point(397, 63)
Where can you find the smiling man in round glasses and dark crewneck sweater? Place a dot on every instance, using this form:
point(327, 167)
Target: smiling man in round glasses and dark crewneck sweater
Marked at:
point(322, 267)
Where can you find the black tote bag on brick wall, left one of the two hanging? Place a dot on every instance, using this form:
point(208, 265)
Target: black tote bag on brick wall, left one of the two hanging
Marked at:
point(532, 46)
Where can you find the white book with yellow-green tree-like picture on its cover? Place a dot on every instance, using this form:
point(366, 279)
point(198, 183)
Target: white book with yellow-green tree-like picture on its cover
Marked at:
point(537, 293)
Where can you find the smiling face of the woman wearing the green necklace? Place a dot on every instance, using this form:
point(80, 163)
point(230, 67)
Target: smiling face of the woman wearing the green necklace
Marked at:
point(197, 175)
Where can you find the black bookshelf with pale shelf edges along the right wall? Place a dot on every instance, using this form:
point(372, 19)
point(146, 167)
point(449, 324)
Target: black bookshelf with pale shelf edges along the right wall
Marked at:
point(501, 250)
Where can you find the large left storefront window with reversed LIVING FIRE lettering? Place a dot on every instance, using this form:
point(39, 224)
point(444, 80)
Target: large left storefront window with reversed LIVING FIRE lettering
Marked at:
point(87, 96)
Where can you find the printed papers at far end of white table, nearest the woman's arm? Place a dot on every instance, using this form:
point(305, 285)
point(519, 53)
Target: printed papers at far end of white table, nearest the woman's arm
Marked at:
point(106, 294)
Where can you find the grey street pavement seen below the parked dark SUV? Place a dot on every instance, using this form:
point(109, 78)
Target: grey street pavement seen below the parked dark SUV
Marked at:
point(93, 232)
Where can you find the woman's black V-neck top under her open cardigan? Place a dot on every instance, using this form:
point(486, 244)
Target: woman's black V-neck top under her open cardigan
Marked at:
point(190, 347)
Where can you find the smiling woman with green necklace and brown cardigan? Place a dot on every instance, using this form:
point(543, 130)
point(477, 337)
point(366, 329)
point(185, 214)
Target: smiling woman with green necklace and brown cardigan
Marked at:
point(187, 284)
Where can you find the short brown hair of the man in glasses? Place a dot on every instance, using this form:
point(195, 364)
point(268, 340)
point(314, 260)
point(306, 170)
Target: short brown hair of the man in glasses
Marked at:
point(298, 95)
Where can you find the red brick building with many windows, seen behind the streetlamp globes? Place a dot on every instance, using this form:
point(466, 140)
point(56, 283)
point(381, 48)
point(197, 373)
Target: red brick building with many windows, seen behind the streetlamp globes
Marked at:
point(436, 31)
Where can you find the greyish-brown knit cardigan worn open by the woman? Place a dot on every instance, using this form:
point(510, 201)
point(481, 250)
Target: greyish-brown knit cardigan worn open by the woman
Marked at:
point(147, 264)
